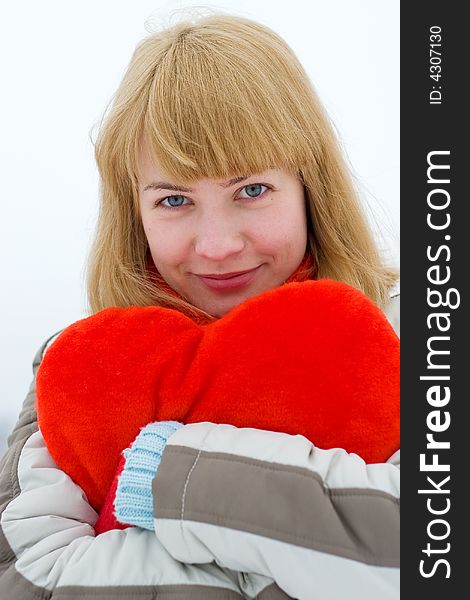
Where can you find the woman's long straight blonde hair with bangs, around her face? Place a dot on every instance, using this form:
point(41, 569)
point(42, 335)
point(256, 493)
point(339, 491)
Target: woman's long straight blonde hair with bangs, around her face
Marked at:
point(218, 97)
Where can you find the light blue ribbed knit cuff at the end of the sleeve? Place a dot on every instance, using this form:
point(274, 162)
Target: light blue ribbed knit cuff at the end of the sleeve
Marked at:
point(134, 501)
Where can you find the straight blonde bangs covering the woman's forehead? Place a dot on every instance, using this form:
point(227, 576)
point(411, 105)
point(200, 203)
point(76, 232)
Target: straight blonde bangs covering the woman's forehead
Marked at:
point(214, 115)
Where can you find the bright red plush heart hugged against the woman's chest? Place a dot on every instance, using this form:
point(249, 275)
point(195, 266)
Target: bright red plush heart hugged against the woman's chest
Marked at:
point(316, 358)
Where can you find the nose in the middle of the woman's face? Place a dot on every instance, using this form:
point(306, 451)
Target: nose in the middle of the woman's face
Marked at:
point(218, 237)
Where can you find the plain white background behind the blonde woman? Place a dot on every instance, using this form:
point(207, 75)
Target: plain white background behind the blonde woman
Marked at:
point(61, 63)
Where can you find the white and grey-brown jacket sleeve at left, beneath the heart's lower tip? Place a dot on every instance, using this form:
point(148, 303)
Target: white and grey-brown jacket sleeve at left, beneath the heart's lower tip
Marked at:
point(48, 547)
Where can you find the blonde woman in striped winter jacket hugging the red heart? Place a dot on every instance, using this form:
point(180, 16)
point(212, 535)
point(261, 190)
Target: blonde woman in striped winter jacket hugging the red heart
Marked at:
point(220, 176)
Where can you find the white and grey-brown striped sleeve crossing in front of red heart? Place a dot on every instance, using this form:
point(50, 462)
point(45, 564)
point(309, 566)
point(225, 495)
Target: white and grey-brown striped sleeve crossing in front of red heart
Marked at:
point(320, 523)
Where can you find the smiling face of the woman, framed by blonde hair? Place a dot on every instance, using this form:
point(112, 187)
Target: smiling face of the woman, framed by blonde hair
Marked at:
point(219, 242)
